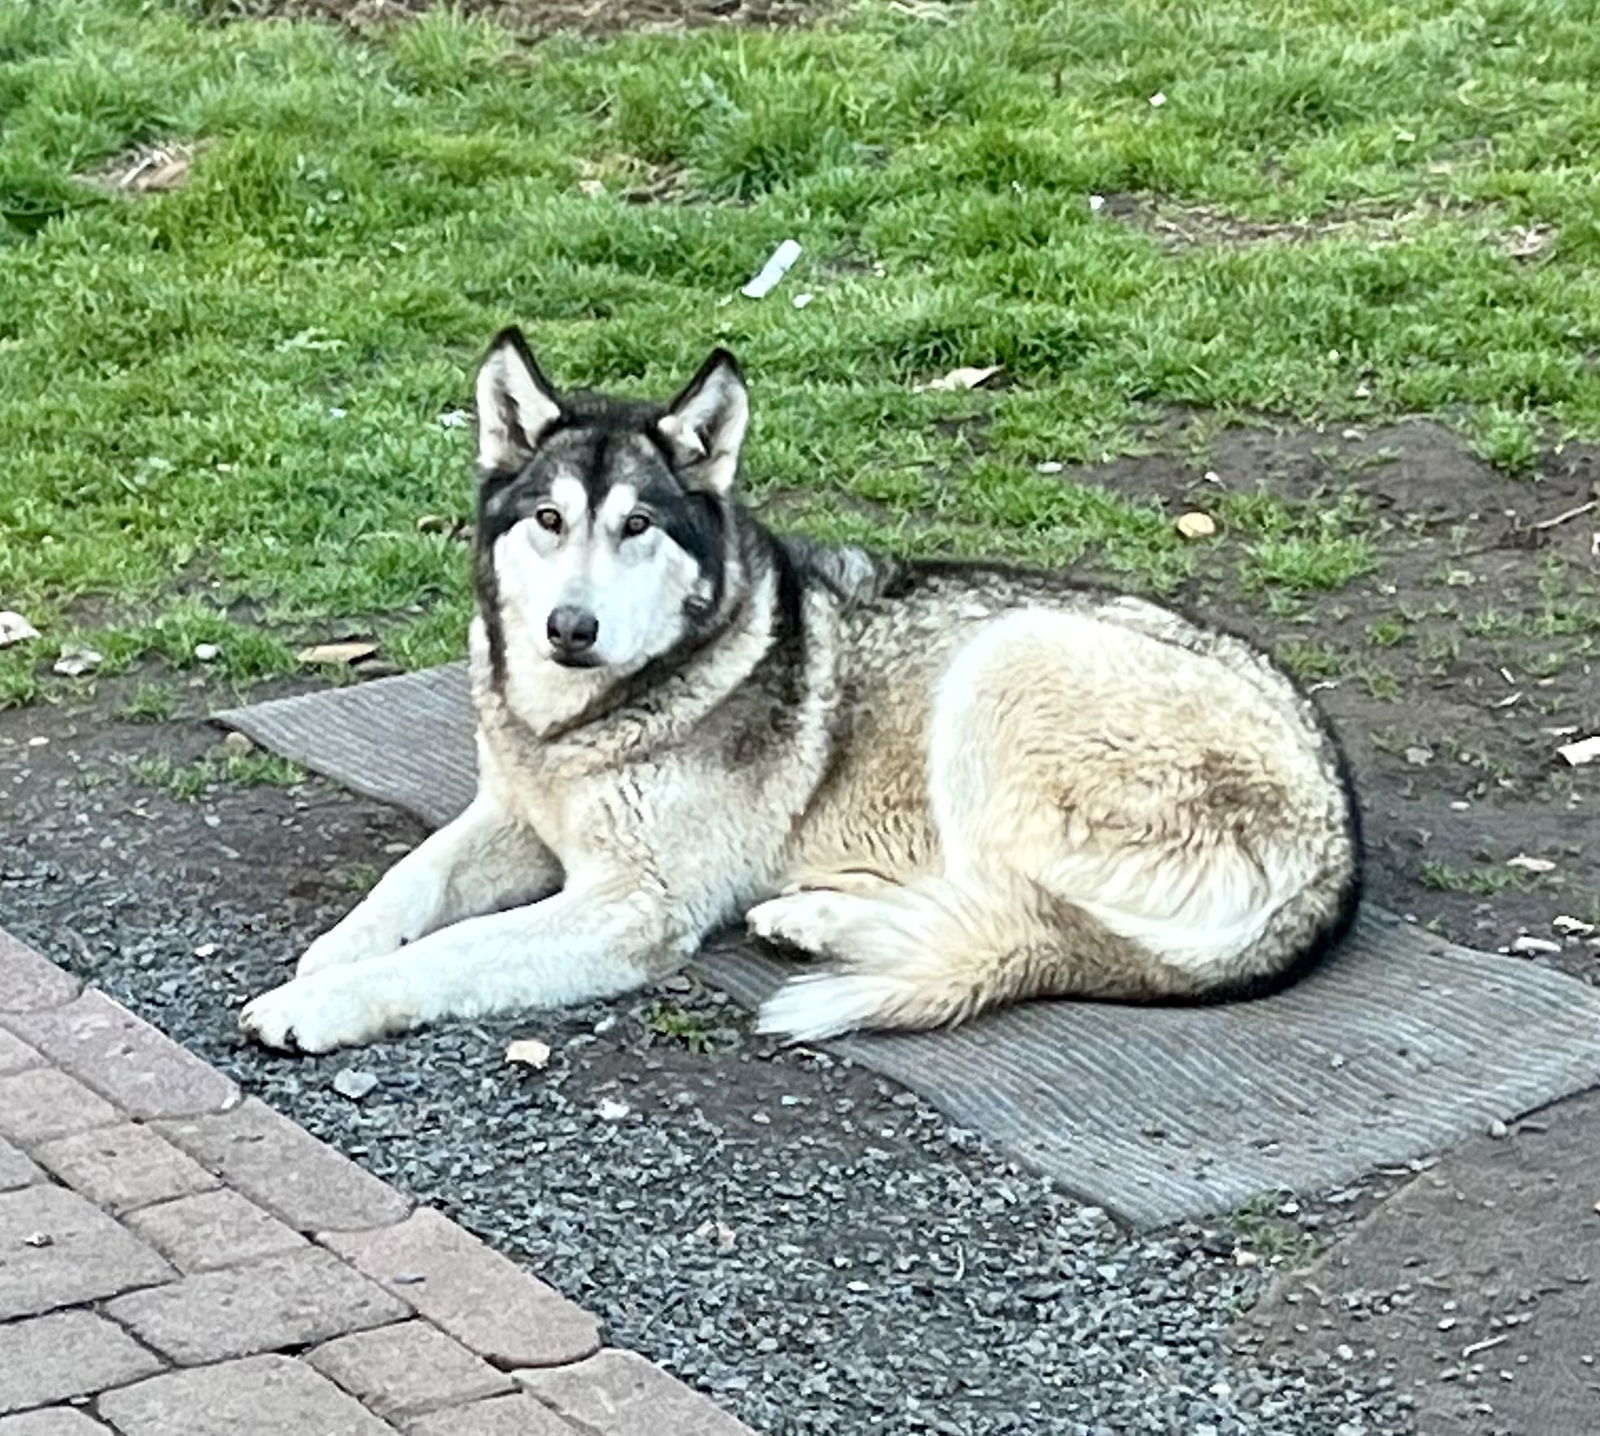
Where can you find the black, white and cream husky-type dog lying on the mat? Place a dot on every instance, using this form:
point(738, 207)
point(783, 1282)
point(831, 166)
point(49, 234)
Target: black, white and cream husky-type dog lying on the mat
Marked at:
point(953, 784)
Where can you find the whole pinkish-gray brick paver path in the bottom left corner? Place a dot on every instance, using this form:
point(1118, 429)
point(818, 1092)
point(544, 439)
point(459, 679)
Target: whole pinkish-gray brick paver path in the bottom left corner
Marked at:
point(180, 1261)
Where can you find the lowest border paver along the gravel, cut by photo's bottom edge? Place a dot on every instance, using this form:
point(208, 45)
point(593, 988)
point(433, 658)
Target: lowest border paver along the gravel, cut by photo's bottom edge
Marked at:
point(618, 1394)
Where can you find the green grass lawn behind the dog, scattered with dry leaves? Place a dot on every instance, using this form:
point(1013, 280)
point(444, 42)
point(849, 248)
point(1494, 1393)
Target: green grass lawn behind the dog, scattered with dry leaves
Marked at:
point(222, 409)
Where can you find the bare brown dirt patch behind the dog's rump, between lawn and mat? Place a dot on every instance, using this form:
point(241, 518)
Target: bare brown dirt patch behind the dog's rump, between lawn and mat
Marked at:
point(1454, 672)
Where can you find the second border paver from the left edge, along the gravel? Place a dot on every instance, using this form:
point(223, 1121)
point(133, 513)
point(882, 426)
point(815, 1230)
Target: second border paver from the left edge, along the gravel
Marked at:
point(124, 1059)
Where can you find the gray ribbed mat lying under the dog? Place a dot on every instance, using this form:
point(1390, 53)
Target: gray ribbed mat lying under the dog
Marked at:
point(1398, 1048)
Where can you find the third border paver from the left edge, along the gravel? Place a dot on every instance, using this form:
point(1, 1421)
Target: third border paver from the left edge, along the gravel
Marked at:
point(289, 1171)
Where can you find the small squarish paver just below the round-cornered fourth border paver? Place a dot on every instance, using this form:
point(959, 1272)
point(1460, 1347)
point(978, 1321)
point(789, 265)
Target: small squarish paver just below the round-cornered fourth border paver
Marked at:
point(409, 1370)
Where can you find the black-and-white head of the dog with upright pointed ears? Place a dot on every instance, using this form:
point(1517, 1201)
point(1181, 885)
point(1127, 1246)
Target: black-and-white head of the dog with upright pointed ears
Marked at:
point(602, 522)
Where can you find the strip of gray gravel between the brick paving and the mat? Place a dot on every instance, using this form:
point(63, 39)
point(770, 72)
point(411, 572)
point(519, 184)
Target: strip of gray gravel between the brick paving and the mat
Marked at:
point(809, 1245)
